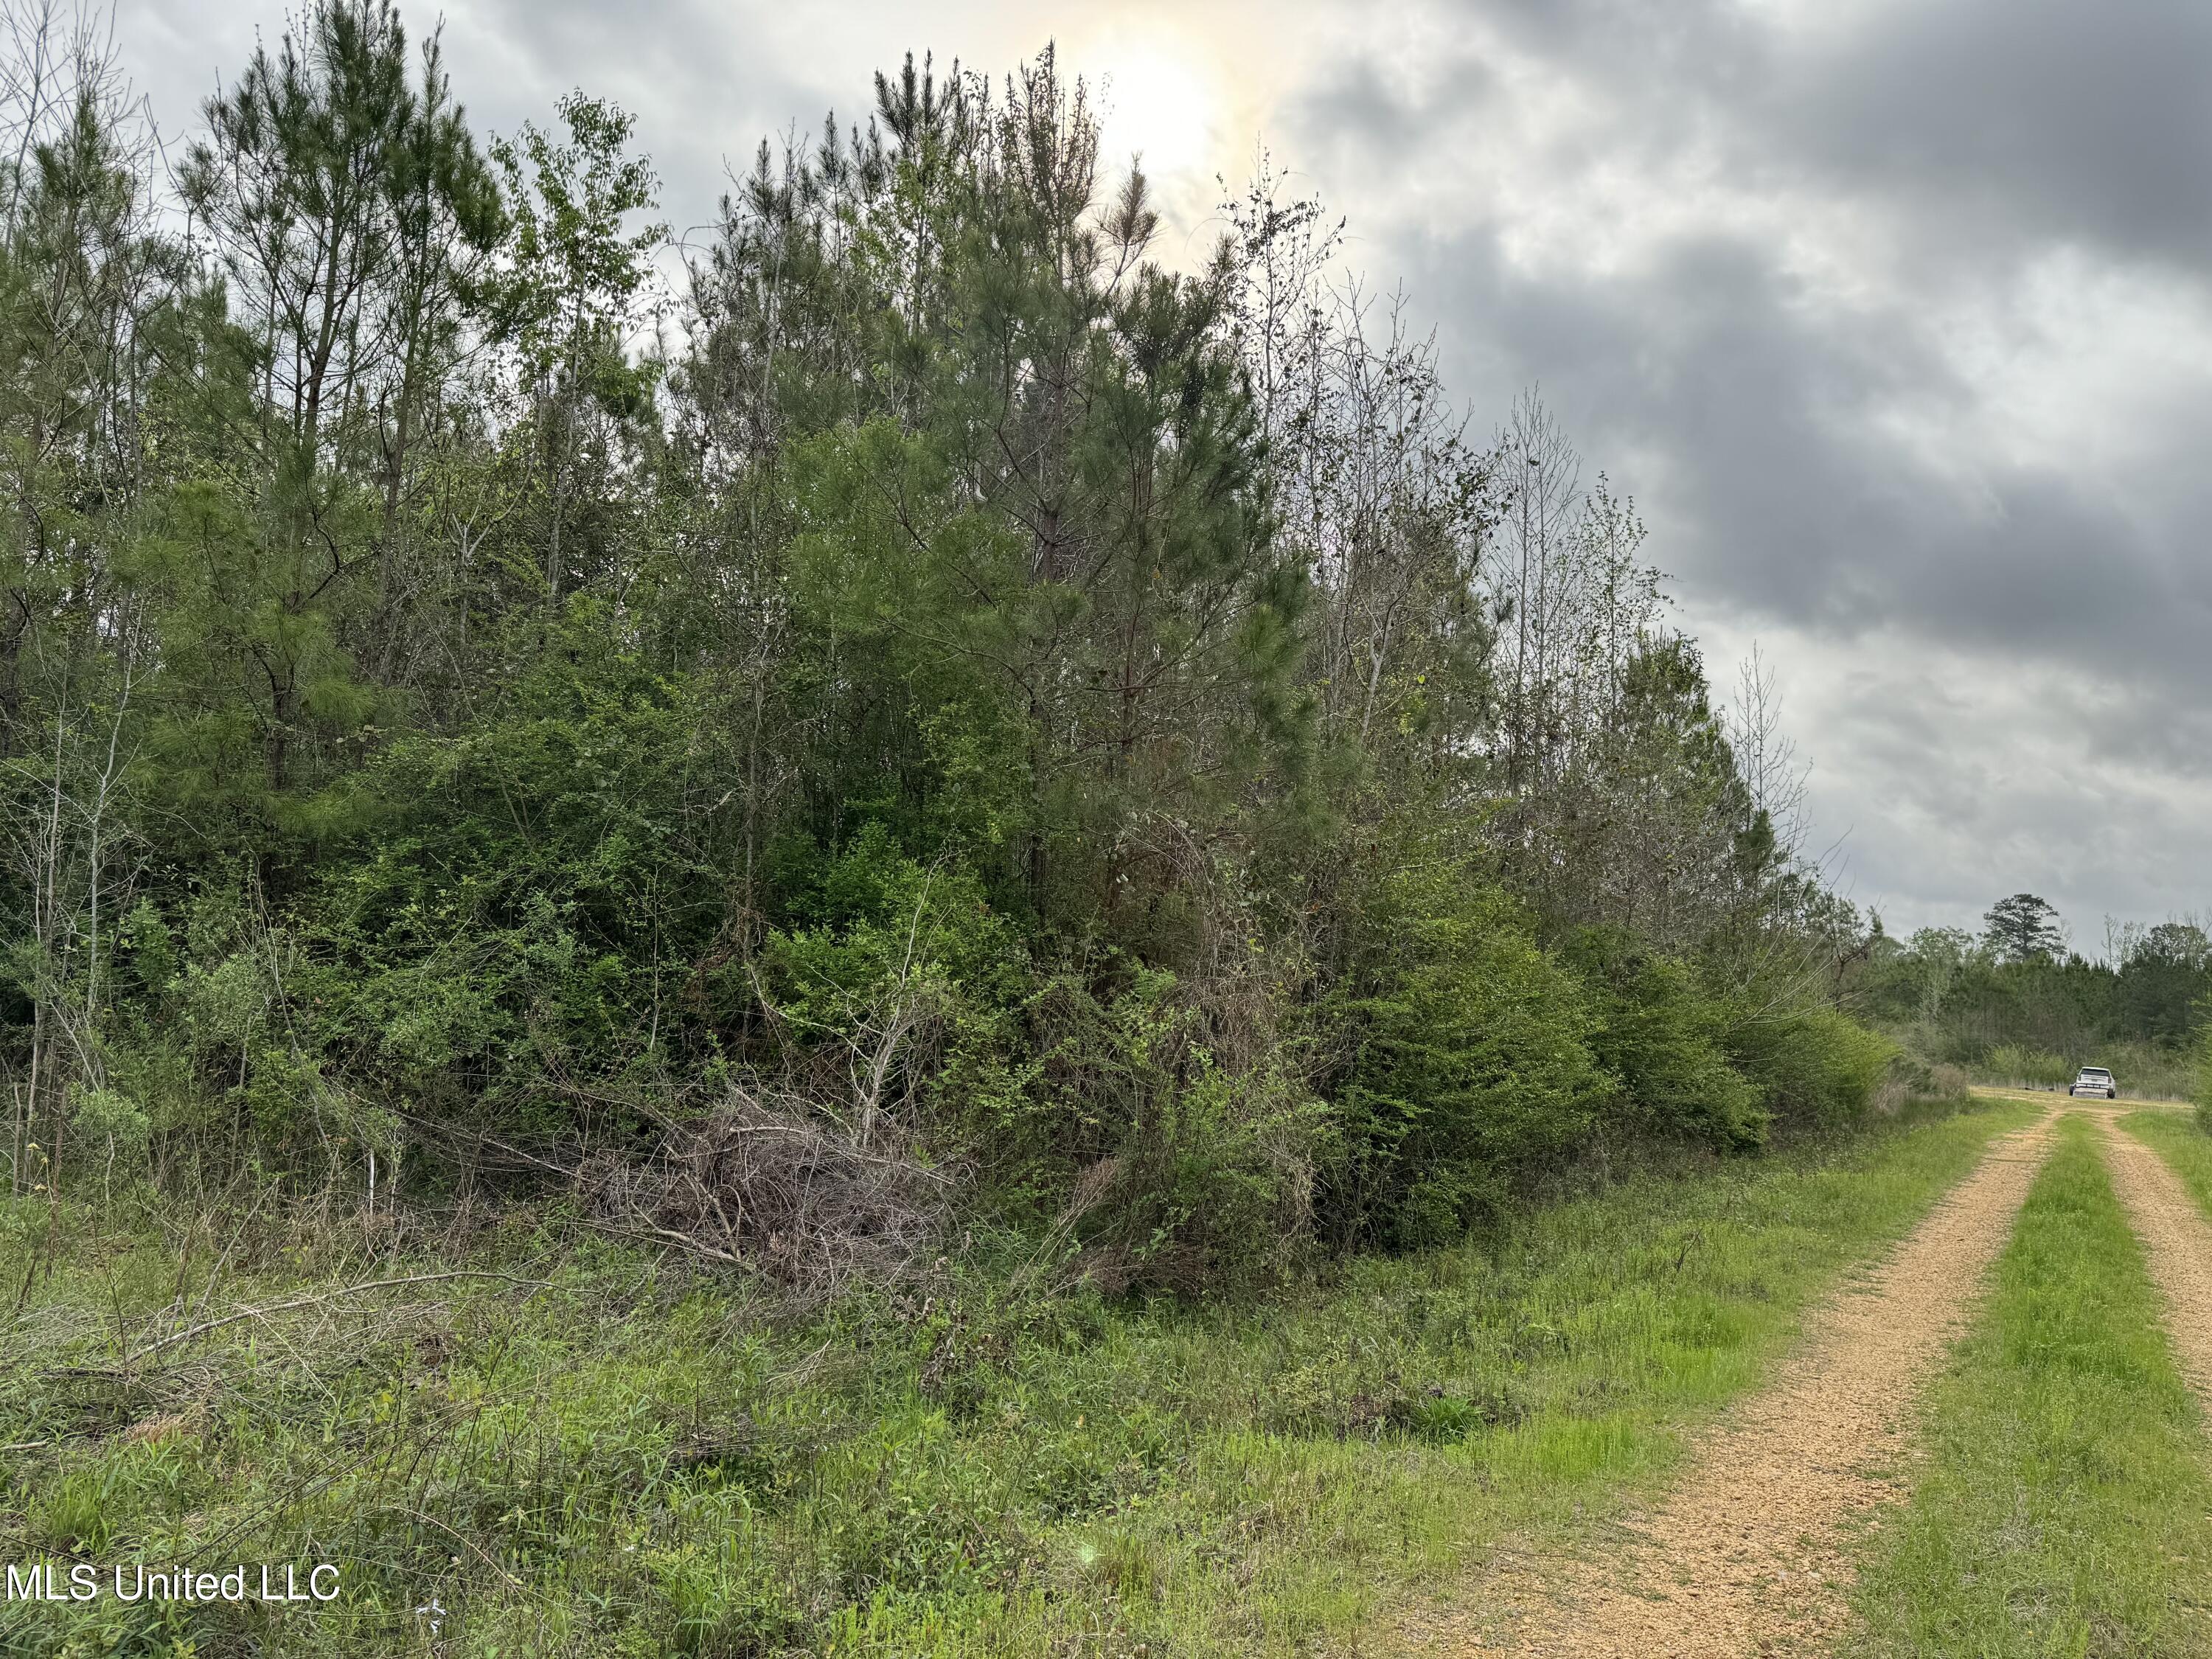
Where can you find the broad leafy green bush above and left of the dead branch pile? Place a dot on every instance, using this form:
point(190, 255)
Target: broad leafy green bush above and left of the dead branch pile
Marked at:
point(530, 899)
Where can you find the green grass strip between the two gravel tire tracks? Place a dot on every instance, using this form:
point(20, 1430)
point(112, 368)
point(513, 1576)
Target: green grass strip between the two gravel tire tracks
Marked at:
point(2065, 1507)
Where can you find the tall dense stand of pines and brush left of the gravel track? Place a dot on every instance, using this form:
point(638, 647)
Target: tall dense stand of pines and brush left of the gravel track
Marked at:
point(924, 713)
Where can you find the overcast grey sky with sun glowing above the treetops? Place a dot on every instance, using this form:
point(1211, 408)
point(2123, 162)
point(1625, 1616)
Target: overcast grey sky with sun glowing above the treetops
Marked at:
point(1895, 317)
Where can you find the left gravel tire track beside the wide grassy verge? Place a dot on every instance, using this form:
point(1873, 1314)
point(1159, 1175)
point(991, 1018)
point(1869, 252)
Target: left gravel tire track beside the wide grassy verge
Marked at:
point(1751, 1552)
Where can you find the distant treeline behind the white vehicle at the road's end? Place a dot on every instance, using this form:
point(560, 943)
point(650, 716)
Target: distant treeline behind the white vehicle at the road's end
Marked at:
point(2021, 1005)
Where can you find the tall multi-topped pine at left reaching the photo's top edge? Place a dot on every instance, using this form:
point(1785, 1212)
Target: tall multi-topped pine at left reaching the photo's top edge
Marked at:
point(348, 211)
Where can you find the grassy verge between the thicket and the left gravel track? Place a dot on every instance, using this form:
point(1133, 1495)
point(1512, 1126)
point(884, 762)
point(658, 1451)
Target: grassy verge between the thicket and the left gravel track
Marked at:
point(638, 1461)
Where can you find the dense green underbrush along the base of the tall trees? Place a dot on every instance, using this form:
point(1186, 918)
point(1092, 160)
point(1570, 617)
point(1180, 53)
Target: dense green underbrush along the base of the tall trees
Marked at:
point(924, 1063)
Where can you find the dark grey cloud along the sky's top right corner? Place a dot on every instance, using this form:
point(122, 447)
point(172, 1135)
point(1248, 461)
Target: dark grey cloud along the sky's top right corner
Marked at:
point(2063, 118)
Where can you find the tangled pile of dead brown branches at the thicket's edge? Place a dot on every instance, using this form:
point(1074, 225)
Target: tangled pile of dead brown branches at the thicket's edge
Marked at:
point(782, 1189)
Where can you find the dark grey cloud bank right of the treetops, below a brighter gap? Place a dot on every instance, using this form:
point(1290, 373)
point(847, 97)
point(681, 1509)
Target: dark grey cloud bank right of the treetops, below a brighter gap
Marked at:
point(1802, 505)
